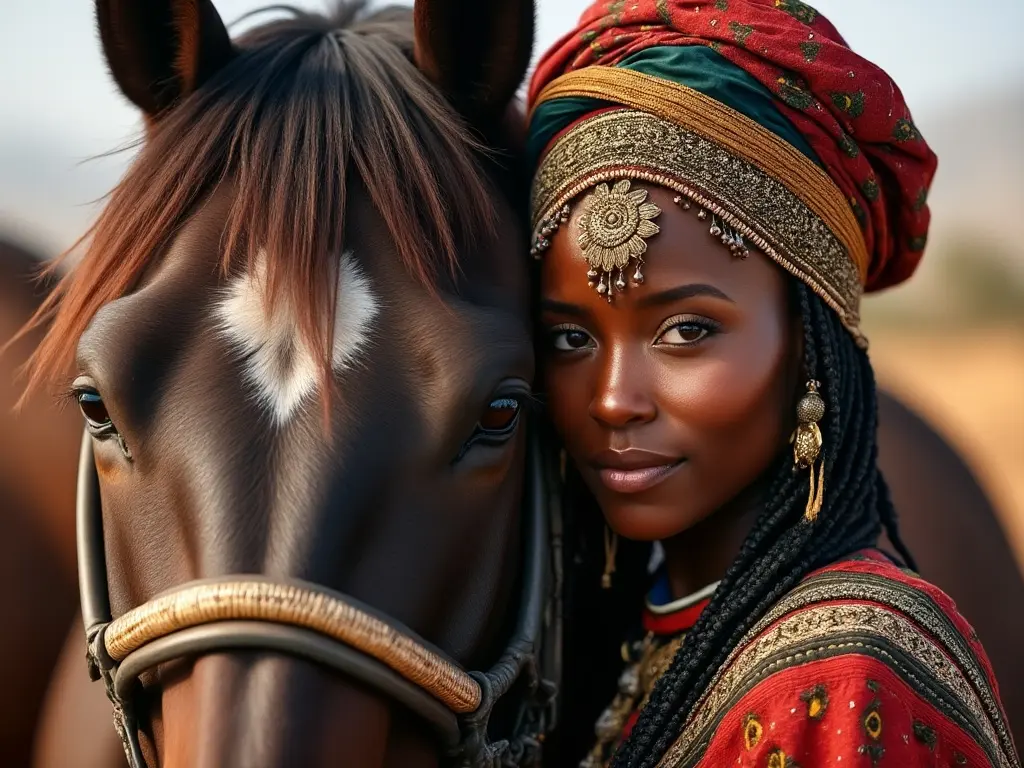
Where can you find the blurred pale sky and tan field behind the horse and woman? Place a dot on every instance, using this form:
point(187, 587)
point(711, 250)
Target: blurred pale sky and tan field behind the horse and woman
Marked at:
point(952, 343)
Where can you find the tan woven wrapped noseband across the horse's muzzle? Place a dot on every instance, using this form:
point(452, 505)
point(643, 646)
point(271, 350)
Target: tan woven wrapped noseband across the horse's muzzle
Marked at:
point(297, 607)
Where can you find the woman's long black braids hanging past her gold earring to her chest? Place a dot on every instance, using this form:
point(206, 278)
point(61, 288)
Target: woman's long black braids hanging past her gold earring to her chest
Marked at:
point(783, 548)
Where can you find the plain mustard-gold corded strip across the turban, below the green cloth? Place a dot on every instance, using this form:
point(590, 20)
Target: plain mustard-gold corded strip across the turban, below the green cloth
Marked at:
point(731, 130)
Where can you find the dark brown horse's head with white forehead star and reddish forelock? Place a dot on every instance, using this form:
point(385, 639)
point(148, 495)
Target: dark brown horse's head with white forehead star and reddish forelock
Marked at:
point(304, 353)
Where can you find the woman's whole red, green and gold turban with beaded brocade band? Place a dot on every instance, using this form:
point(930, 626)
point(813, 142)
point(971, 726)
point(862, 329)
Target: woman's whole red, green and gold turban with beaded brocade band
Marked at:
point(761, 119)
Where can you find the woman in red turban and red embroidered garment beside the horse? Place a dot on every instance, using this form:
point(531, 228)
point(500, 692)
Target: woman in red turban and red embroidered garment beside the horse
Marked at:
point(717, 185)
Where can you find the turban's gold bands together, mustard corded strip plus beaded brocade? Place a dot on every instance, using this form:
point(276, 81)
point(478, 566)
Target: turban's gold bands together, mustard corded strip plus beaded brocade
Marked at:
point(756, 188)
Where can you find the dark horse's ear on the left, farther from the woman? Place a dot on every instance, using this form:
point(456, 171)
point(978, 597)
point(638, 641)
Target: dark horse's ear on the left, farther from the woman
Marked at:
point(160, 52)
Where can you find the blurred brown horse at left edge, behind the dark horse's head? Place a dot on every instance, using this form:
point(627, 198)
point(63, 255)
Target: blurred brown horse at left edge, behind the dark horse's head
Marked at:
point(38, 461)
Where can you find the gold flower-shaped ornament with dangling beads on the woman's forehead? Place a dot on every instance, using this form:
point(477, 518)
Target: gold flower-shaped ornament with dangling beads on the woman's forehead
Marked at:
point(614, 228)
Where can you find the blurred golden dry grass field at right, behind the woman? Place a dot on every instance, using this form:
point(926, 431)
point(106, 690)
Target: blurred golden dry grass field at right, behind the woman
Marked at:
point(970, 386)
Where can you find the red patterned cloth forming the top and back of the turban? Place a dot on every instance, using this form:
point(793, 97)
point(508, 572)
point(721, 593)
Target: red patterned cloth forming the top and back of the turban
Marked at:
point(850, 112)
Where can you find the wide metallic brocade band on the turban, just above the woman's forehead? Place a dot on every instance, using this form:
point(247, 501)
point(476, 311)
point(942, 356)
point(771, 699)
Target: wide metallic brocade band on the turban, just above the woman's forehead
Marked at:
point(636, 146)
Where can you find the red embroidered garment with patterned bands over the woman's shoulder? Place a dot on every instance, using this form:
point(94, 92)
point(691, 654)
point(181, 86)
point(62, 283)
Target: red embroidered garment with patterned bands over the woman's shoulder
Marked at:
point(863, 665)
